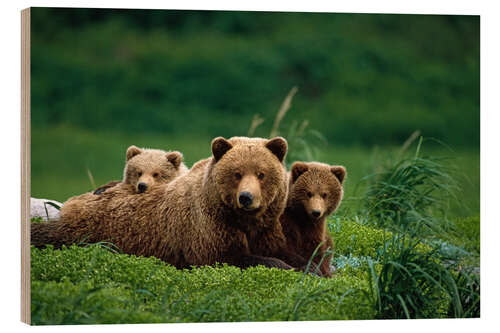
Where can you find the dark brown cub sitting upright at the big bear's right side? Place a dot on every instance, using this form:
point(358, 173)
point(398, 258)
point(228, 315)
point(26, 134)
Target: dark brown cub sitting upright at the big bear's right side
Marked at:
point(315, 191)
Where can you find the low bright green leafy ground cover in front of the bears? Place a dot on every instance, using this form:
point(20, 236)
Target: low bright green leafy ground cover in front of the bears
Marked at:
point(94, 285)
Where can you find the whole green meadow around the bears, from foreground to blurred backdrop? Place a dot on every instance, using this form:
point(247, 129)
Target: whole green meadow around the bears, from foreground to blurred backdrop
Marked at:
point(393, 98)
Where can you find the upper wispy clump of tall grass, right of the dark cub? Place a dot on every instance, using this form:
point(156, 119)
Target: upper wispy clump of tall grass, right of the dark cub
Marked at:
point(409, 193)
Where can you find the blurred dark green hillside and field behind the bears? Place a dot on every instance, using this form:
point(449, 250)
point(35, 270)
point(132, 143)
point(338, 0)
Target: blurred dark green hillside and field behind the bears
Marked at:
point(102, 80)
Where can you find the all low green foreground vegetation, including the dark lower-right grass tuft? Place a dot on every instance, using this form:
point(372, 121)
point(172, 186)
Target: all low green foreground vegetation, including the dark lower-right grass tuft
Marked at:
point(97, 284)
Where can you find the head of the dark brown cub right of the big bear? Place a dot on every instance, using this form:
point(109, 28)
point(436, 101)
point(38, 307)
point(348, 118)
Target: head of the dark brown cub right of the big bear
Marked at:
point(315, 189)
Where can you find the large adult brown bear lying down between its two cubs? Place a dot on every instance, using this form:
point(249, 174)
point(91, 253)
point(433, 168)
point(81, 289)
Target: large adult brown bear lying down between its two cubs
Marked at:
point(225, 209)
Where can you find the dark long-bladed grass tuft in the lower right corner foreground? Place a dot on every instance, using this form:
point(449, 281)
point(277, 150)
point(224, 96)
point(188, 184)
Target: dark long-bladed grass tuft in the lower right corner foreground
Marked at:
point(411, 284)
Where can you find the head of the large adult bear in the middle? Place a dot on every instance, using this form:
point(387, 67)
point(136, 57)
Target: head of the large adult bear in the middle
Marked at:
point(249, 172)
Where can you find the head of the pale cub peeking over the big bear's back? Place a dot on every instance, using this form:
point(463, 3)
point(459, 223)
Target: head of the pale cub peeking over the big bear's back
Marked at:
point(148, 167)
